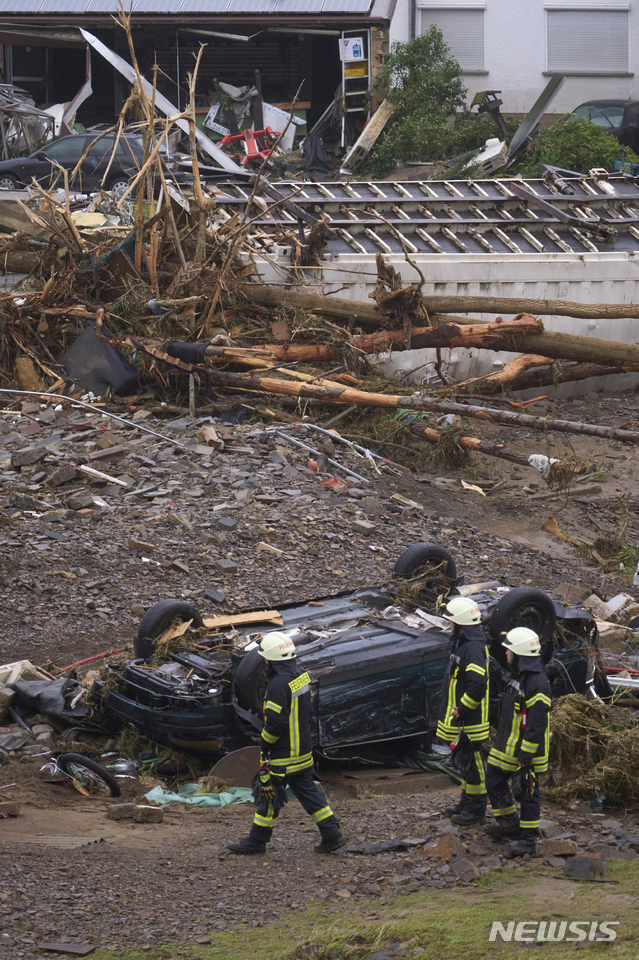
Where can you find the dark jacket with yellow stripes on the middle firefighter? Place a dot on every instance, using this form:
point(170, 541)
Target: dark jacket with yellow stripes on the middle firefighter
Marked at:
point(466, 687)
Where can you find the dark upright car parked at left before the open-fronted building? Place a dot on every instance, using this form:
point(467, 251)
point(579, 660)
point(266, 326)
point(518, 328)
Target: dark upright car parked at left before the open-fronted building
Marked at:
point(67, 151)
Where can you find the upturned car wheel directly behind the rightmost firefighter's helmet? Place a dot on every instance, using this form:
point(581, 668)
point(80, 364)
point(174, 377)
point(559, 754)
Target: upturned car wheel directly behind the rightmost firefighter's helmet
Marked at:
point(524, 607)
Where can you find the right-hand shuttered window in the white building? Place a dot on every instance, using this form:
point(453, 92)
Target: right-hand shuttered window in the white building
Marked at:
point(587, 41)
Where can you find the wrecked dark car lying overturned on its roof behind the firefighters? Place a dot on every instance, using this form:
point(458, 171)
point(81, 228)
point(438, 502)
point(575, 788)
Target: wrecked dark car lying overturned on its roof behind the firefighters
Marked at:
point(377, 658)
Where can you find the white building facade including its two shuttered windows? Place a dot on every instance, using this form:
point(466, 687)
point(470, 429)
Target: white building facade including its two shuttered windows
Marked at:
point(516, 45)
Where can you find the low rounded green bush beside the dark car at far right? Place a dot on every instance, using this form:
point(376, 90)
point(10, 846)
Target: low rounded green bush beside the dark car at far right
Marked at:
point(574, 144)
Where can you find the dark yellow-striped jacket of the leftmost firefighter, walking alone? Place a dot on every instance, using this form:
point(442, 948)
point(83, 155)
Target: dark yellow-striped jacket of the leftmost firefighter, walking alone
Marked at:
point(286, 736)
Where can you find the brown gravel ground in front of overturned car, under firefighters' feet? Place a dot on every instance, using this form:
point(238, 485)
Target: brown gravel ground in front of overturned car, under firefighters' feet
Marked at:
point(175, 882)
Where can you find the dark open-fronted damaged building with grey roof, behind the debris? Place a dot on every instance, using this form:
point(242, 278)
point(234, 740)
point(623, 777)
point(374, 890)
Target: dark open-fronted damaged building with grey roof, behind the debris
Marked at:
point(295, 44)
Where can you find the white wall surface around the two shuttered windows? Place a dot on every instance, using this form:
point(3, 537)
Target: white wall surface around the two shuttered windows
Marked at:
point(515, 52)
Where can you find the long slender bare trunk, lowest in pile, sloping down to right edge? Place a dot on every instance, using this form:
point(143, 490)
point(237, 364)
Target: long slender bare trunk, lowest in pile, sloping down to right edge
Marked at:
point(261, 383)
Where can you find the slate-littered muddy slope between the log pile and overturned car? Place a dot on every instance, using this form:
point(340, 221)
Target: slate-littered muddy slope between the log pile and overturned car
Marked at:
point(72, 584)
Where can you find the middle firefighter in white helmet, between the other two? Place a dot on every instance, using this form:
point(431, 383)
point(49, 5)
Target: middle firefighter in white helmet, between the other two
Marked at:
point(465, 704)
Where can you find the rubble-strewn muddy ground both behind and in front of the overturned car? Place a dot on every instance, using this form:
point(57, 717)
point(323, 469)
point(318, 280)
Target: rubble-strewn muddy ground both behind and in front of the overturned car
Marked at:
point(74, 584)
